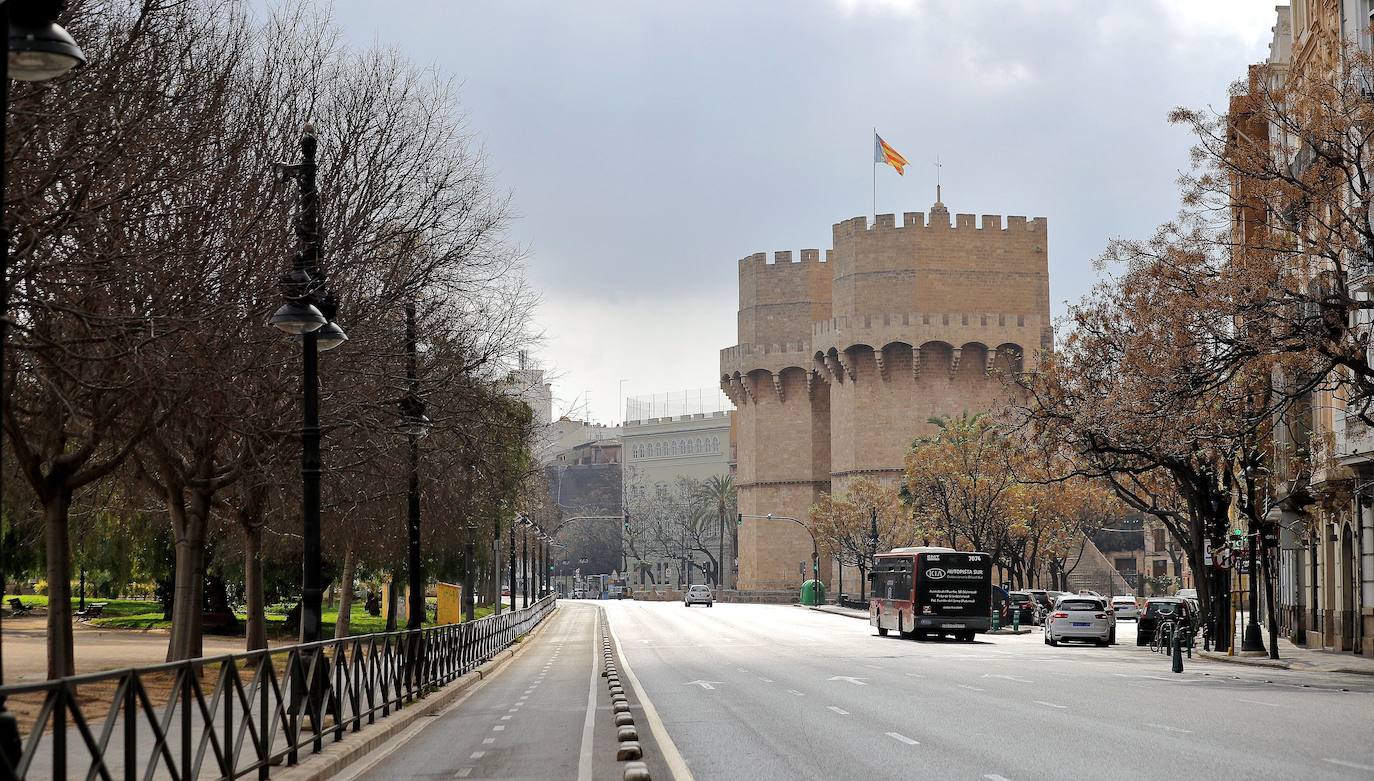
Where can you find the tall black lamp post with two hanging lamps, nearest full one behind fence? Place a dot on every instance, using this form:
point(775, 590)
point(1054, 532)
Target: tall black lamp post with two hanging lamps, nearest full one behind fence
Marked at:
point(308, 316)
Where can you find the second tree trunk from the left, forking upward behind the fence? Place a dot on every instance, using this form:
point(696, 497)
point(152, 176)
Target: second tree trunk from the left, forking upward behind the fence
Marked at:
point(189, 603)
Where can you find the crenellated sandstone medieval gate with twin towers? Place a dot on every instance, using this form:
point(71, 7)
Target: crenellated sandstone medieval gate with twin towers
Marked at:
point(842, 362)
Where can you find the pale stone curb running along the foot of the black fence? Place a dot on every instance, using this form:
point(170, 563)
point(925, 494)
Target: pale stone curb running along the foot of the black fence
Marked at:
point(340, 756)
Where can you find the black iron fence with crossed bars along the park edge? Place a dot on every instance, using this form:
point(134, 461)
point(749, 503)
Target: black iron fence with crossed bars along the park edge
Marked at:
point(240, 716)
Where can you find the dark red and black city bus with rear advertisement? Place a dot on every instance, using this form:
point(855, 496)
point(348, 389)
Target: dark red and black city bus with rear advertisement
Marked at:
point(931, 592)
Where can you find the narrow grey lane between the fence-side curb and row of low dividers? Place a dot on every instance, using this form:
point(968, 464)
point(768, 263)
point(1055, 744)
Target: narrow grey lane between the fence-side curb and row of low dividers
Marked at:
point(545, 716)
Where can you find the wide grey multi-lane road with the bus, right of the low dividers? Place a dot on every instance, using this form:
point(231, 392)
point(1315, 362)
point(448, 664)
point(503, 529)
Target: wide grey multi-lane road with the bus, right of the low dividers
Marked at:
point(765, 692)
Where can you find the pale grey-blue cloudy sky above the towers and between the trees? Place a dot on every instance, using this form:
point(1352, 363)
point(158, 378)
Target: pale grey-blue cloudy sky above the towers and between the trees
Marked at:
point(651, 145)
